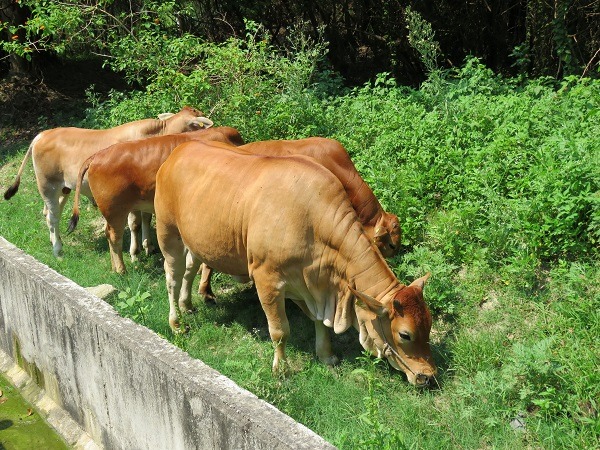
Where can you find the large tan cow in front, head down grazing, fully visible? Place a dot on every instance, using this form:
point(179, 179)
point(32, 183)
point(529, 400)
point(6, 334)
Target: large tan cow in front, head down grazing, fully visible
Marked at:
point(287, 224)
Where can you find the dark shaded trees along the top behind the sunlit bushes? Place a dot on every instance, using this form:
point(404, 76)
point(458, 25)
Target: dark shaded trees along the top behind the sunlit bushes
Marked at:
point(536, 37)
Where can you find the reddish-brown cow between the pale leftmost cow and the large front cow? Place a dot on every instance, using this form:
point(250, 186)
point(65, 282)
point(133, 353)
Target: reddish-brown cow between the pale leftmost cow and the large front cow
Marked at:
point(122, 178)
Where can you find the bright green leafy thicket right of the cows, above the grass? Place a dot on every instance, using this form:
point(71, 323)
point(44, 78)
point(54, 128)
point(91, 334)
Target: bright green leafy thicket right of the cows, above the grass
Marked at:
point(522, 180)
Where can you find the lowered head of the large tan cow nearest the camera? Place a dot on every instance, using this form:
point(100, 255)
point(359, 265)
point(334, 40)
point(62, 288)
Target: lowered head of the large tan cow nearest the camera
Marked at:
point(398, 329)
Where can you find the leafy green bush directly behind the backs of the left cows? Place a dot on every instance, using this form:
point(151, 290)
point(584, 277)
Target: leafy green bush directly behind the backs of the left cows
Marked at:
point(246, 83)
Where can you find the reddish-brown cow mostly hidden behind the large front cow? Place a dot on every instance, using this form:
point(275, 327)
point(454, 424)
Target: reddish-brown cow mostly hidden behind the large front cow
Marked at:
point(382, 227)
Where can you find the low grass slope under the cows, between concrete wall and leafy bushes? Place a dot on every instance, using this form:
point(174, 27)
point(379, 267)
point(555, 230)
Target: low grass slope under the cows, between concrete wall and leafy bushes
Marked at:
point(506, 348)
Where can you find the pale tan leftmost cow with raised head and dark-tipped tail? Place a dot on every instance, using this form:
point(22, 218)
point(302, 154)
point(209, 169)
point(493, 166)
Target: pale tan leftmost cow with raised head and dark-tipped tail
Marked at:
point(59, 153)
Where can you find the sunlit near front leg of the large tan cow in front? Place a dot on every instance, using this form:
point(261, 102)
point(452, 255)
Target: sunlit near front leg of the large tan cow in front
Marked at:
point(271, 293)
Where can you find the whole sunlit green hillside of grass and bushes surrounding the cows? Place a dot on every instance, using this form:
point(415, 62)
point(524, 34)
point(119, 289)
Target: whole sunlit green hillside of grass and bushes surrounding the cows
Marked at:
point(497, 184)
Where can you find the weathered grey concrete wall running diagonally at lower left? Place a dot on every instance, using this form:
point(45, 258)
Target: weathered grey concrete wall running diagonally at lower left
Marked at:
point(121, 384)
